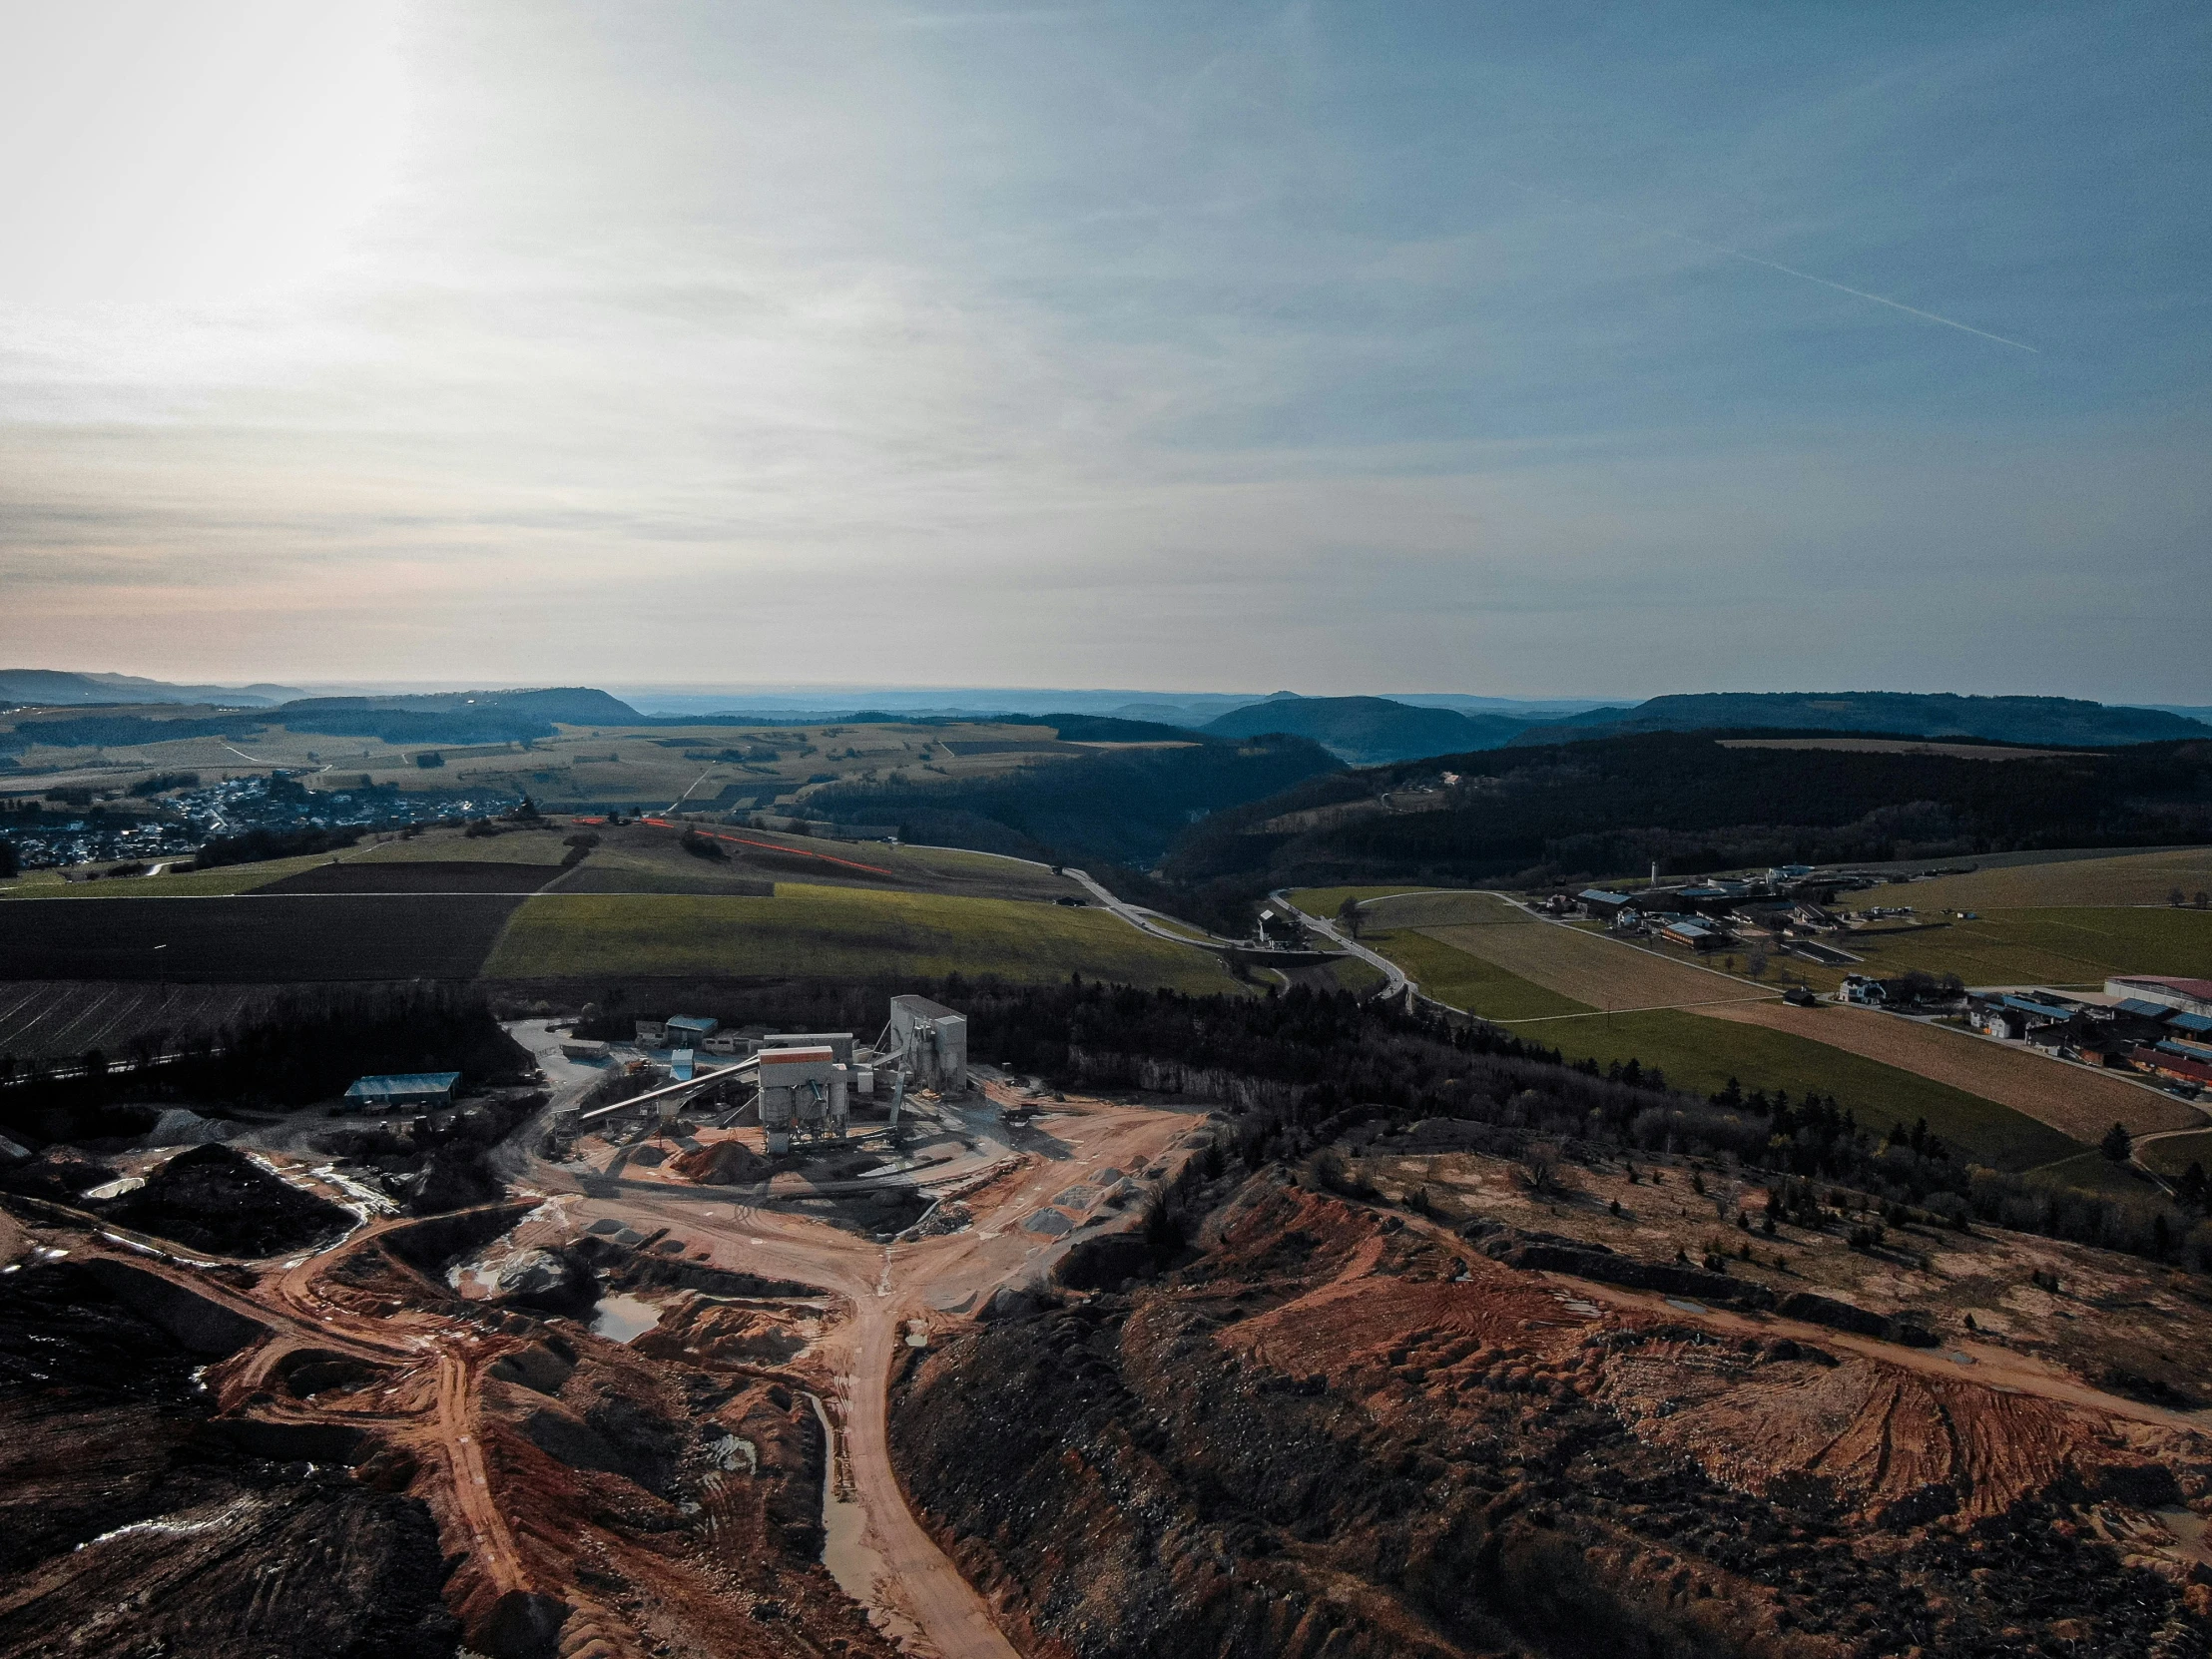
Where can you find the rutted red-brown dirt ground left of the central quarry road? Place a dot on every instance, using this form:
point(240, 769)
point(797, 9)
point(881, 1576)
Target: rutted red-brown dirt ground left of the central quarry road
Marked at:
point(344, 1459)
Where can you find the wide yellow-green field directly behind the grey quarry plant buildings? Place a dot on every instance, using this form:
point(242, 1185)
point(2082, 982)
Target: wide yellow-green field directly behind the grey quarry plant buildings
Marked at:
point(835, 932)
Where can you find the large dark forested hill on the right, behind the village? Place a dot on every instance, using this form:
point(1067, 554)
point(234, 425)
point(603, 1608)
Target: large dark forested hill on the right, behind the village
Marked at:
point(1693, 804)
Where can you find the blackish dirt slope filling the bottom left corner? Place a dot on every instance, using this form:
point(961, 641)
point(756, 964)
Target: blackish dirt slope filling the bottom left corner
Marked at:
point(132, 1525)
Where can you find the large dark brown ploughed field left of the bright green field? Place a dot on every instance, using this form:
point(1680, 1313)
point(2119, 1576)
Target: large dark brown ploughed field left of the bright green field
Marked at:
point(253, 939)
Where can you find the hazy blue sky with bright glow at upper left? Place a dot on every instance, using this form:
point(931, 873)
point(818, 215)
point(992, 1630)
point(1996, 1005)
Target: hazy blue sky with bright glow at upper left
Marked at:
point(1485, 348)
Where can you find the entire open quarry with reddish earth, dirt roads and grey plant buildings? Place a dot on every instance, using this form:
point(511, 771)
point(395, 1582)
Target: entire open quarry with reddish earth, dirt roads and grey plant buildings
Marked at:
point(824, 1342)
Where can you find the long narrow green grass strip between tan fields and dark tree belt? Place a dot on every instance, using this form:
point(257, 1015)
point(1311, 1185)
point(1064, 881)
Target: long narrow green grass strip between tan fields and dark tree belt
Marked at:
point(1704, 1054)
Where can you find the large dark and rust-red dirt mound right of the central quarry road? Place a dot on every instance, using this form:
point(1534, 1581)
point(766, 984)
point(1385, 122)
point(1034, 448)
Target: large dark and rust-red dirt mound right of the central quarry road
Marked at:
point(1346, 1434)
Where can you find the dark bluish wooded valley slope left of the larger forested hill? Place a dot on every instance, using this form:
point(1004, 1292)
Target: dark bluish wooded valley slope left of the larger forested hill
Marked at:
point(1123, 806)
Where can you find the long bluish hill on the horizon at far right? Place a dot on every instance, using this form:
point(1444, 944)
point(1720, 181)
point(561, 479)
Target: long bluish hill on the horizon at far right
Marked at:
point(2003, 720)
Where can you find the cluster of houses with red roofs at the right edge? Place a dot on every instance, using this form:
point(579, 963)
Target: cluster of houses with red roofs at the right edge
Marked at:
point(2142, 1023)
